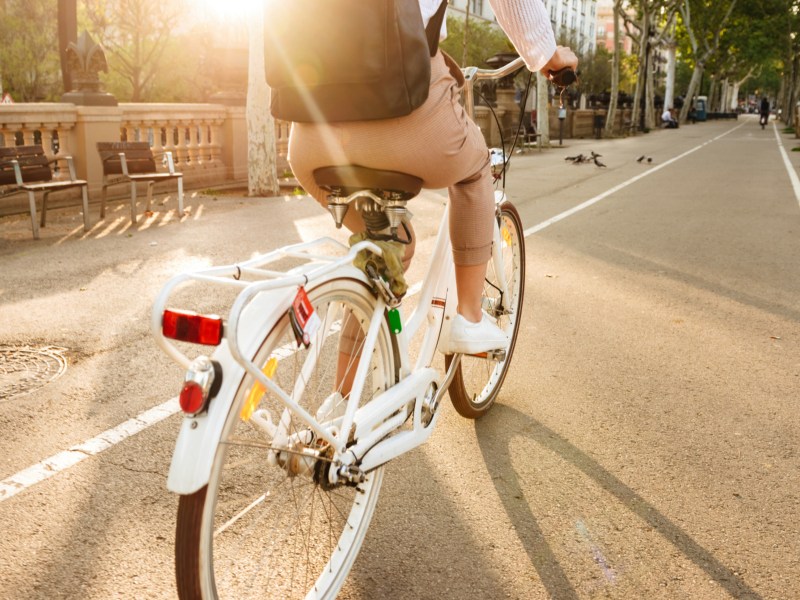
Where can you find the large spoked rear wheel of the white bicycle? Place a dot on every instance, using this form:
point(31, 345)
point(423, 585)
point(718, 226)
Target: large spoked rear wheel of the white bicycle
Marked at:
point(269, 524)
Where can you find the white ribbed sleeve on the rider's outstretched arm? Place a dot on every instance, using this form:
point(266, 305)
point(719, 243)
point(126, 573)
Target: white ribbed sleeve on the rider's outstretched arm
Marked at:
point(527, 25)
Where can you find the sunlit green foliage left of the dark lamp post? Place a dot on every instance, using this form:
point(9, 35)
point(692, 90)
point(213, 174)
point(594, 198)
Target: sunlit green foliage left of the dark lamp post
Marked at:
point(29, 60)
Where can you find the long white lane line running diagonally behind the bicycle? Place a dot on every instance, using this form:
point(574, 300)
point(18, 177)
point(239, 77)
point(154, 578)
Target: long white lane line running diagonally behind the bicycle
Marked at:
point(53, 465)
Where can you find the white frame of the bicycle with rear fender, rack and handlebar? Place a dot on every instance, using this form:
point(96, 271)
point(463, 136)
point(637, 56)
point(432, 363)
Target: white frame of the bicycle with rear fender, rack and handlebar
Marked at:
point(261, 303)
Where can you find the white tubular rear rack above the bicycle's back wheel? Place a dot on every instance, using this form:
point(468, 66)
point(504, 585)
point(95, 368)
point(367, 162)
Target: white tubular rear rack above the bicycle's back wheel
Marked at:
point(318, 265)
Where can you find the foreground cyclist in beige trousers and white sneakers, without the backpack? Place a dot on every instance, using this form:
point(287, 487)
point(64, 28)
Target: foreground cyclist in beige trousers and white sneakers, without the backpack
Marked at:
point(439, 144)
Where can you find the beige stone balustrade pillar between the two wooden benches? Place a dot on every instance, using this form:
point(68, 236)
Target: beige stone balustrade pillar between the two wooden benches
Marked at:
point(94, 124)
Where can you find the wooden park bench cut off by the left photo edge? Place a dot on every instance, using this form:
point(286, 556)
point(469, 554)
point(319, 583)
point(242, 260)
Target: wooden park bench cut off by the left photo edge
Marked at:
point(27, 169)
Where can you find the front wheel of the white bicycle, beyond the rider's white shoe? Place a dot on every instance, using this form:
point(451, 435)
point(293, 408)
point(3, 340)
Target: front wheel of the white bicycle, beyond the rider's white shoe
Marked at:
point(478, 380)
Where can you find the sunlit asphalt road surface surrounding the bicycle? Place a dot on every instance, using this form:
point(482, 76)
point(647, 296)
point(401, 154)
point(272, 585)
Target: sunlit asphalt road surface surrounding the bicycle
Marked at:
point(645, 444)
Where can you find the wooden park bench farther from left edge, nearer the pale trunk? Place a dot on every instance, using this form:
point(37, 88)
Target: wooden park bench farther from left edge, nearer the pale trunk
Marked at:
point(131, 162)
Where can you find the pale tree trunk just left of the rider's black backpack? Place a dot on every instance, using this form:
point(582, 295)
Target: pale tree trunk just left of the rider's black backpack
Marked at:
point(262, 176)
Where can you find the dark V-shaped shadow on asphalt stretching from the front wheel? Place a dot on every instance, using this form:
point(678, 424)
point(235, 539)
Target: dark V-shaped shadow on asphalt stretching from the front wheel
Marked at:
point(495, 434)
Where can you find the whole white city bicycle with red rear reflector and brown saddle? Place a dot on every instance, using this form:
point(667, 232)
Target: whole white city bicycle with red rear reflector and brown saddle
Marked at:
point(311, 390)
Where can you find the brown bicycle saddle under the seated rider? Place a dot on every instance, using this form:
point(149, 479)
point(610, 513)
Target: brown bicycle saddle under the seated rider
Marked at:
point(348, 179)
